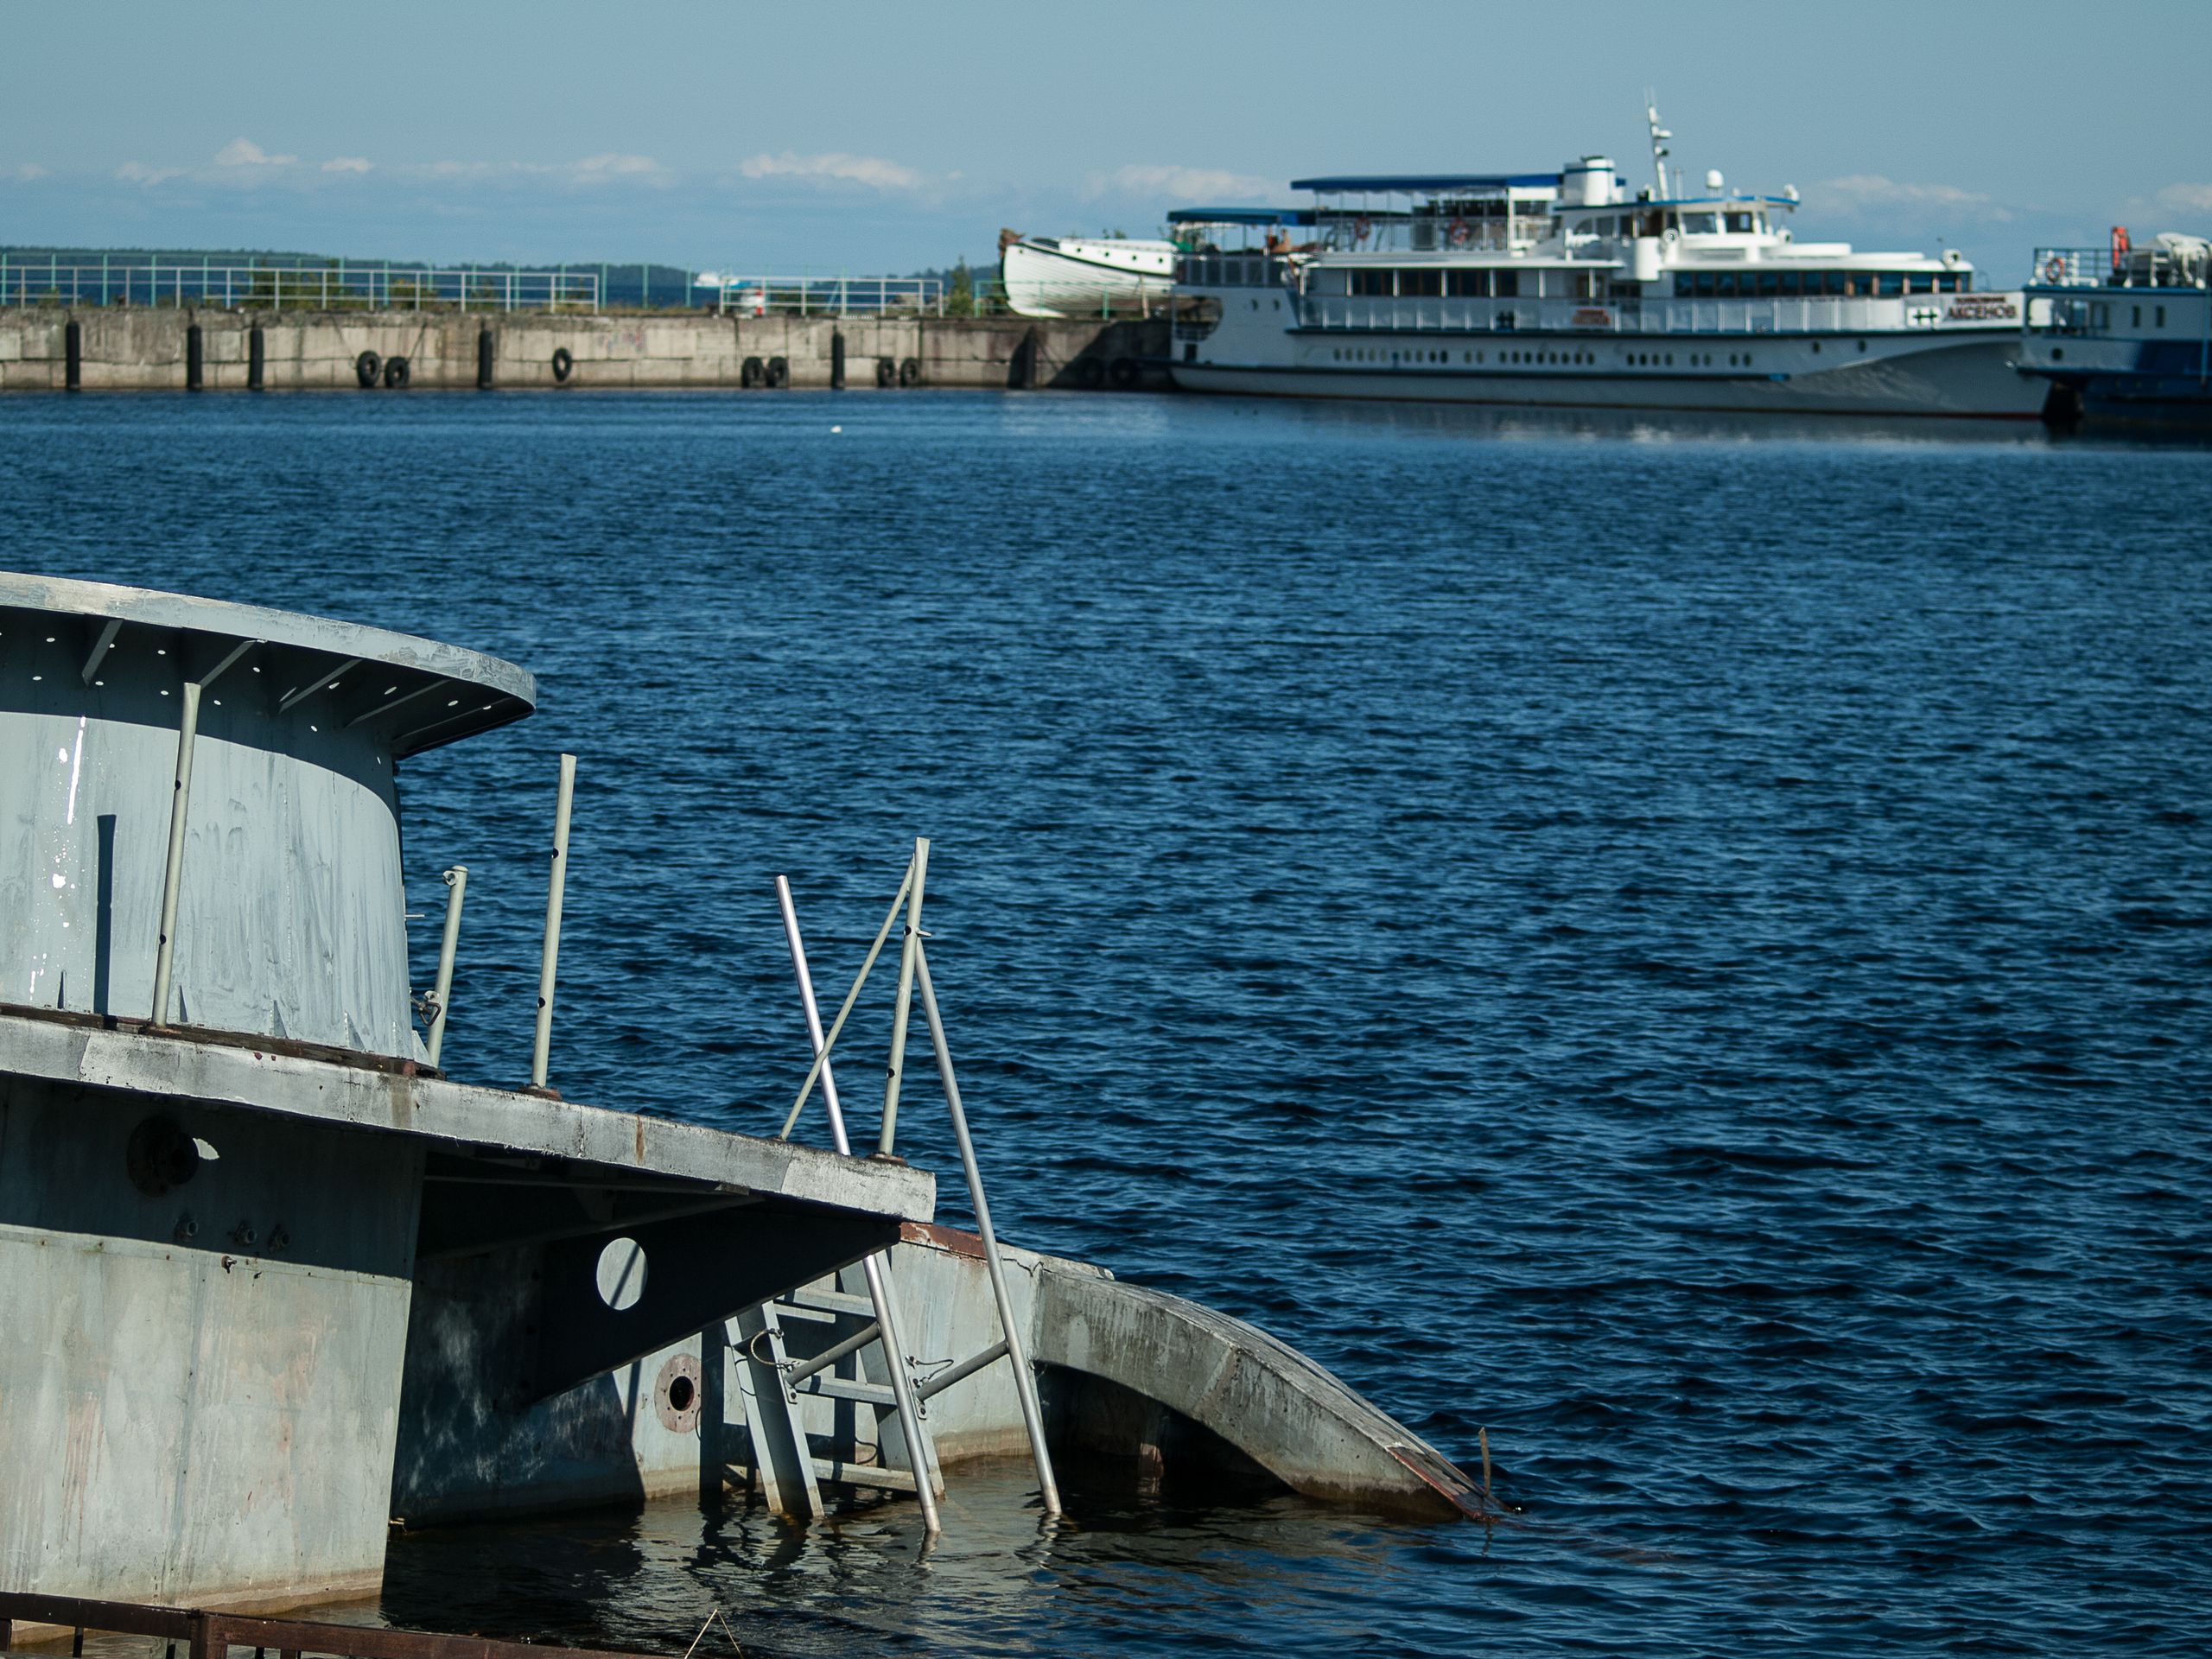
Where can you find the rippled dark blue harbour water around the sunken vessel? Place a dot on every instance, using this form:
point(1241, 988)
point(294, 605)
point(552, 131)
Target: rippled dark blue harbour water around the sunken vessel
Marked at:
point(1687, 948)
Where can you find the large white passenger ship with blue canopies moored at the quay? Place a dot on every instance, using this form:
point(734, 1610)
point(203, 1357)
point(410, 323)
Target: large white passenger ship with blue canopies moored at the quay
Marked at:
point(1563, 291)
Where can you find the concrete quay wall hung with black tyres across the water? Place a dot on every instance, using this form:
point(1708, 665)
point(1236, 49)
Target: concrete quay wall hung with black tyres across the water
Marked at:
point(147, 351)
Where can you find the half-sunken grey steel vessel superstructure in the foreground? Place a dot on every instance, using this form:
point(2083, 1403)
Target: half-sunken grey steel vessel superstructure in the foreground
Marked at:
point(269, 1280)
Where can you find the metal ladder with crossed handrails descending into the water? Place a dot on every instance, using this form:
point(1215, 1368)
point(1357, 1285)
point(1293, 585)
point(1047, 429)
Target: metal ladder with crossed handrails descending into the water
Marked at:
point(773, 1381)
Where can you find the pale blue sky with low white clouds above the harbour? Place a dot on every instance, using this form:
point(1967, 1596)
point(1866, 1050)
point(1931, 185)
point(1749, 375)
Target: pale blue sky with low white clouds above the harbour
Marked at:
point(901, 136)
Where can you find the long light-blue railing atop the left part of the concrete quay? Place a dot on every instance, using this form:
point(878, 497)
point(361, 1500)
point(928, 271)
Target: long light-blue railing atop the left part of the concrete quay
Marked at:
point(48, 280)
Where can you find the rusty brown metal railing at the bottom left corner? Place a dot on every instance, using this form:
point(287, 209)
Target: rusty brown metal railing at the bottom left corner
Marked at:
point(213, 1636)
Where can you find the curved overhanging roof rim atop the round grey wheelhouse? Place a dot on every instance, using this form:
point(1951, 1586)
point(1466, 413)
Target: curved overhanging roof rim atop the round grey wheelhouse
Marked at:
point(415, 693)
